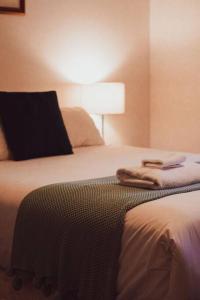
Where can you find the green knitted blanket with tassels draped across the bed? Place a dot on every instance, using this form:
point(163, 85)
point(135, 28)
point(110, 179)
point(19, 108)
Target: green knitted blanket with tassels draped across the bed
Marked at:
point(68, 236)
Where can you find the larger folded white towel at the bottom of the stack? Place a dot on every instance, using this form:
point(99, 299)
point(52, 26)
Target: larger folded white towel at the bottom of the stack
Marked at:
point(159, 179)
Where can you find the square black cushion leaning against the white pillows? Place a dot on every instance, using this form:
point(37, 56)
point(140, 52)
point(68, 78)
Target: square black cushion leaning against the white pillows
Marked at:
point(33, 124)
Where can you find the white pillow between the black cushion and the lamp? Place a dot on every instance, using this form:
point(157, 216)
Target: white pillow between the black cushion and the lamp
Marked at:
point(80, 127)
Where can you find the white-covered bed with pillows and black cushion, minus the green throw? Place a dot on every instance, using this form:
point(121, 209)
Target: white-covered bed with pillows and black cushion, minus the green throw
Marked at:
point(159, 256)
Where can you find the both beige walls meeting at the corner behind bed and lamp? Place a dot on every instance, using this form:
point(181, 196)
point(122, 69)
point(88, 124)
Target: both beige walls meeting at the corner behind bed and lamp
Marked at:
point(58, 43)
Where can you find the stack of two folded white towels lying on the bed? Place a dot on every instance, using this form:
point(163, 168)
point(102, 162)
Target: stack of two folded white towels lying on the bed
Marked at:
point(160, 174)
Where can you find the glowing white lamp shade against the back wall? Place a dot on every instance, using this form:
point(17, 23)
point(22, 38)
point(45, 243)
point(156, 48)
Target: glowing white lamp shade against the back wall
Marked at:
point(104, 98)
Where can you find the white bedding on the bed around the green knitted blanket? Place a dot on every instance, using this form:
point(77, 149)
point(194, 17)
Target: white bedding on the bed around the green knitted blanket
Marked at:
point(160, 257)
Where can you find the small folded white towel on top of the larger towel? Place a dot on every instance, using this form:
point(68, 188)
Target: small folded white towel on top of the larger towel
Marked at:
point(170, 161)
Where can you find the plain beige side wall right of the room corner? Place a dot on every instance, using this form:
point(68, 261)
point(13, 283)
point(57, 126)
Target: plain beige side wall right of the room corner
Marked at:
point(175, 74)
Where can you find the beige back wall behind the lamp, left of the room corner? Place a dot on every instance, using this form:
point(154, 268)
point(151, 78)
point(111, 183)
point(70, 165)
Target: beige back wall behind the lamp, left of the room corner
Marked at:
point(61, 42)
